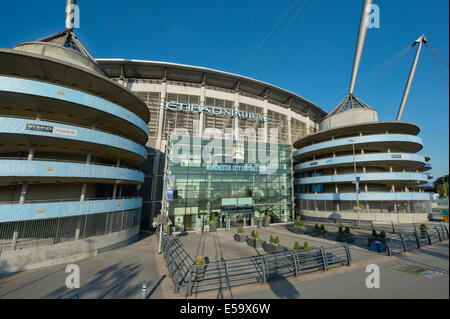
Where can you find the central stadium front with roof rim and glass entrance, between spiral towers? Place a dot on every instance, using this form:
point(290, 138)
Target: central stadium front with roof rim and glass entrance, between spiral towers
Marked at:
point(193, 100)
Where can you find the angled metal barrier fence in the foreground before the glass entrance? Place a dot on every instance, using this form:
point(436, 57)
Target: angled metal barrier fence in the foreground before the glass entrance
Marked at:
point(241, 271)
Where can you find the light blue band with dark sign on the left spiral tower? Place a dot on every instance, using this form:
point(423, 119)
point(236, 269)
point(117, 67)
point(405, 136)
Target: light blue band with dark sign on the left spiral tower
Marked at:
point(57, 130)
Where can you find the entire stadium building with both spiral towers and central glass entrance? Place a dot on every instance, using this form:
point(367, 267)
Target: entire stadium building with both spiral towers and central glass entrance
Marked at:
point(90, 153)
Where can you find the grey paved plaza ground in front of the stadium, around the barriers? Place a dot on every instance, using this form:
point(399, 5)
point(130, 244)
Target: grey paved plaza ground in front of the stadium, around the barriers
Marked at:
point(420, 273)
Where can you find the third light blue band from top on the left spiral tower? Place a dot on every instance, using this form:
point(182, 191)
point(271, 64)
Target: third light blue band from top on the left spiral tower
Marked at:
point(38, 168)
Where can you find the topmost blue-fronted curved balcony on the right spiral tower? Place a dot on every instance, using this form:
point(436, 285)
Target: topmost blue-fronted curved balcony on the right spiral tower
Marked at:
point(381, 142)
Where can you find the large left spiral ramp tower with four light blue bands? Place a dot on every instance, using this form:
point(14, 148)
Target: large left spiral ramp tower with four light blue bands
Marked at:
point(71, 145)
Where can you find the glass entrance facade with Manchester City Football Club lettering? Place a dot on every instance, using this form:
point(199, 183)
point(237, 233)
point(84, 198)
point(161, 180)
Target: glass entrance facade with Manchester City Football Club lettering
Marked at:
point(237, 192)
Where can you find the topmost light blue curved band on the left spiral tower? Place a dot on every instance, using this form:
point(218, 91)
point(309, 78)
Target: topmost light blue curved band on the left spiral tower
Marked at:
point(11, 84)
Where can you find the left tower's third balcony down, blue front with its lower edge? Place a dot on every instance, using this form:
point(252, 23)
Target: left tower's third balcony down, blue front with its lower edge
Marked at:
point(19, 171)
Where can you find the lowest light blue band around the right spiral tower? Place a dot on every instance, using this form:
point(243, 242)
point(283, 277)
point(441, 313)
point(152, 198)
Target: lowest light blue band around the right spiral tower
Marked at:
point(370, 196)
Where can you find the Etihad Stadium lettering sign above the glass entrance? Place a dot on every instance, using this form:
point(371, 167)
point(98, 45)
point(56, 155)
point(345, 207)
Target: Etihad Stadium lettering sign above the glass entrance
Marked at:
point(215, 110)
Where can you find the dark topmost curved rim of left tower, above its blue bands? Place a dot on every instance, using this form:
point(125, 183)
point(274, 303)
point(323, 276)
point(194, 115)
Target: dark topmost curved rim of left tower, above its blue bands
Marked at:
point(36, 66)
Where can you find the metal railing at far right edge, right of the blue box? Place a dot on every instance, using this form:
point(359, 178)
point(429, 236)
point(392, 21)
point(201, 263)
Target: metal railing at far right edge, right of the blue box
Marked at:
point(404, 241)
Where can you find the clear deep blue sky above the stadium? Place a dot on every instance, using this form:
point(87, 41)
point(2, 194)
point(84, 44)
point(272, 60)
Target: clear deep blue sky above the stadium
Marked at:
point(310, 52)
